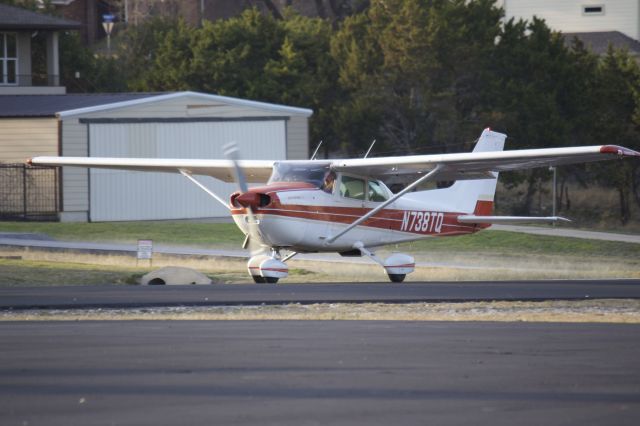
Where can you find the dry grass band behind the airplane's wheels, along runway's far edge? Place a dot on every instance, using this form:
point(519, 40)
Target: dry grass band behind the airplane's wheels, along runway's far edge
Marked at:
point(42, 267)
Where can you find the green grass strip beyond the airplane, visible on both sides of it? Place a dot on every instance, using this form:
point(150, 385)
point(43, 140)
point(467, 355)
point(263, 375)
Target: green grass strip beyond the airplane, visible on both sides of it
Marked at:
point(228, 235)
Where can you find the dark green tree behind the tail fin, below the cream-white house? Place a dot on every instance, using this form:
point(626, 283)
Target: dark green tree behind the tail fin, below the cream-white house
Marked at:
point(540, 94)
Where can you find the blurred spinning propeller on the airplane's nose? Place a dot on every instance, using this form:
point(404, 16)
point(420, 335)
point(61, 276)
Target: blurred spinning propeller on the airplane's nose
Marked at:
point(253, 239)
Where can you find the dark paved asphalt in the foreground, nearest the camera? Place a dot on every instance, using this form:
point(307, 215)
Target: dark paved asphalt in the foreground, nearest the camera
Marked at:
point(316, 373)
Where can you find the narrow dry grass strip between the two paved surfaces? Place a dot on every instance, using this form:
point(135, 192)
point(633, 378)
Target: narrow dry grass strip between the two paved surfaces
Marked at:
point(601, 311)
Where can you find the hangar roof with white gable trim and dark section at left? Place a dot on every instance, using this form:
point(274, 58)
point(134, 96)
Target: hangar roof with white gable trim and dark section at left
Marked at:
point(70, 105)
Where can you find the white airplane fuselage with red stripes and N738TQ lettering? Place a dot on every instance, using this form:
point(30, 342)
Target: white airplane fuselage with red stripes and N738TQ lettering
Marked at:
point(301, 217)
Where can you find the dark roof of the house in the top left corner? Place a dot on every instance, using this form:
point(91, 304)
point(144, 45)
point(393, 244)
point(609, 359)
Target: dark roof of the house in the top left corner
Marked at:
point(17, 18)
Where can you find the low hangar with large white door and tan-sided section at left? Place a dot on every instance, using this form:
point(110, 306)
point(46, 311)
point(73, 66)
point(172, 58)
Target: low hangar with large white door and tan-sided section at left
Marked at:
point(154, 125)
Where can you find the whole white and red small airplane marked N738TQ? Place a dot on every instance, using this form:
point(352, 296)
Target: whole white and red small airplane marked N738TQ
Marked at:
point(344, 206)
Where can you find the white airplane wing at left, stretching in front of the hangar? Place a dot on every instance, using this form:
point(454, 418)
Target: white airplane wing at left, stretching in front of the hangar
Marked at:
point(257, 171)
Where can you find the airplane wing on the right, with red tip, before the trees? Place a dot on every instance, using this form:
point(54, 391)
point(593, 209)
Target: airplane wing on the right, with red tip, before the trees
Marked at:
point(478, 165)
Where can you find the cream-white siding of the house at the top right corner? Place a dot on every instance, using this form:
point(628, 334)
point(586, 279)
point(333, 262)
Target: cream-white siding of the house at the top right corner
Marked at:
point(567, 16)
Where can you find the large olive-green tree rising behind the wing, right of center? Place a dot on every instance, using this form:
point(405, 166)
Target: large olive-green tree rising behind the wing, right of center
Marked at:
point(417, 67)
